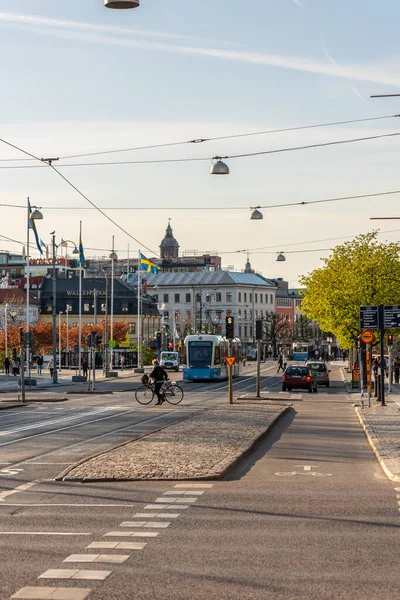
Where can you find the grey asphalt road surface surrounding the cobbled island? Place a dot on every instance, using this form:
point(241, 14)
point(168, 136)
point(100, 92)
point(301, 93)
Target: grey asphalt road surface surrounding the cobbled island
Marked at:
point(272, 529)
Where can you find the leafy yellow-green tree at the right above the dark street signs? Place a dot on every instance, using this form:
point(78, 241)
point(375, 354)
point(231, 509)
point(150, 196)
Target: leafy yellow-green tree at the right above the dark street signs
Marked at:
point(362, 272)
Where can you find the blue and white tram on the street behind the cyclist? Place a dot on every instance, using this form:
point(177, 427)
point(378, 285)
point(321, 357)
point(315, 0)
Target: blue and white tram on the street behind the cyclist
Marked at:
point(205, 358)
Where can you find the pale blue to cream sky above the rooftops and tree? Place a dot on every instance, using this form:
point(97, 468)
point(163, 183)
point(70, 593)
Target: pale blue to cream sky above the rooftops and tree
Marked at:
point(77, 78)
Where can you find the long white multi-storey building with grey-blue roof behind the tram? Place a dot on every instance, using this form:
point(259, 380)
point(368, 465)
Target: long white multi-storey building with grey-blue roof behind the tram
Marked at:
point(194, 302)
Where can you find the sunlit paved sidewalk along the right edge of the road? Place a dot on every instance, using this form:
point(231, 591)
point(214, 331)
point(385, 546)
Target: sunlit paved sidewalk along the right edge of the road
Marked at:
point(382, 427)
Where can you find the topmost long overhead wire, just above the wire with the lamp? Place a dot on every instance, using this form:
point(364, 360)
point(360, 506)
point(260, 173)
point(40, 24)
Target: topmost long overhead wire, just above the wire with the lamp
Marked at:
point(212, 139)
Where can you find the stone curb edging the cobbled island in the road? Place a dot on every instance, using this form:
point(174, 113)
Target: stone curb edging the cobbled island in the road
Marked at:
point(246, 449)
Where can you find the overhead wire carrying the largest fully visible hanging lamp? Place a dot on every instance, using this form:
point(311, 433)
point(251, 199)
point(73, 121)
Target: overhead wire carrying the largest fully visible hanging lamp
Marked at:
point(207, 158)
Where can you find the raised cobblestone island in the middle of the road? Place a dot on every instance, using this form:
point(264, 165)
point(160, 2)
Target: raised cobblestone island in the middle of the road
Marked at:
point(205, 446)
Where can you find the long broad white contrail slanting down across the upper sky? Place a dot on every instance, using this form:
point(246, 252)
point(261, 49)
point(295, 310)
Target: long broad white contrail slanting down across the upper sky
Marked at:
point(100, 34)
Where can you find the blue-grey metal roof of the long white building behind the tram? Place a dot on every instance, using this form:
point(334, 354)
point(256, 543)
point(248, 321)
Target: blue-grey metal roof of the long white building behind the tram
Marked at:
point(208, 278)
